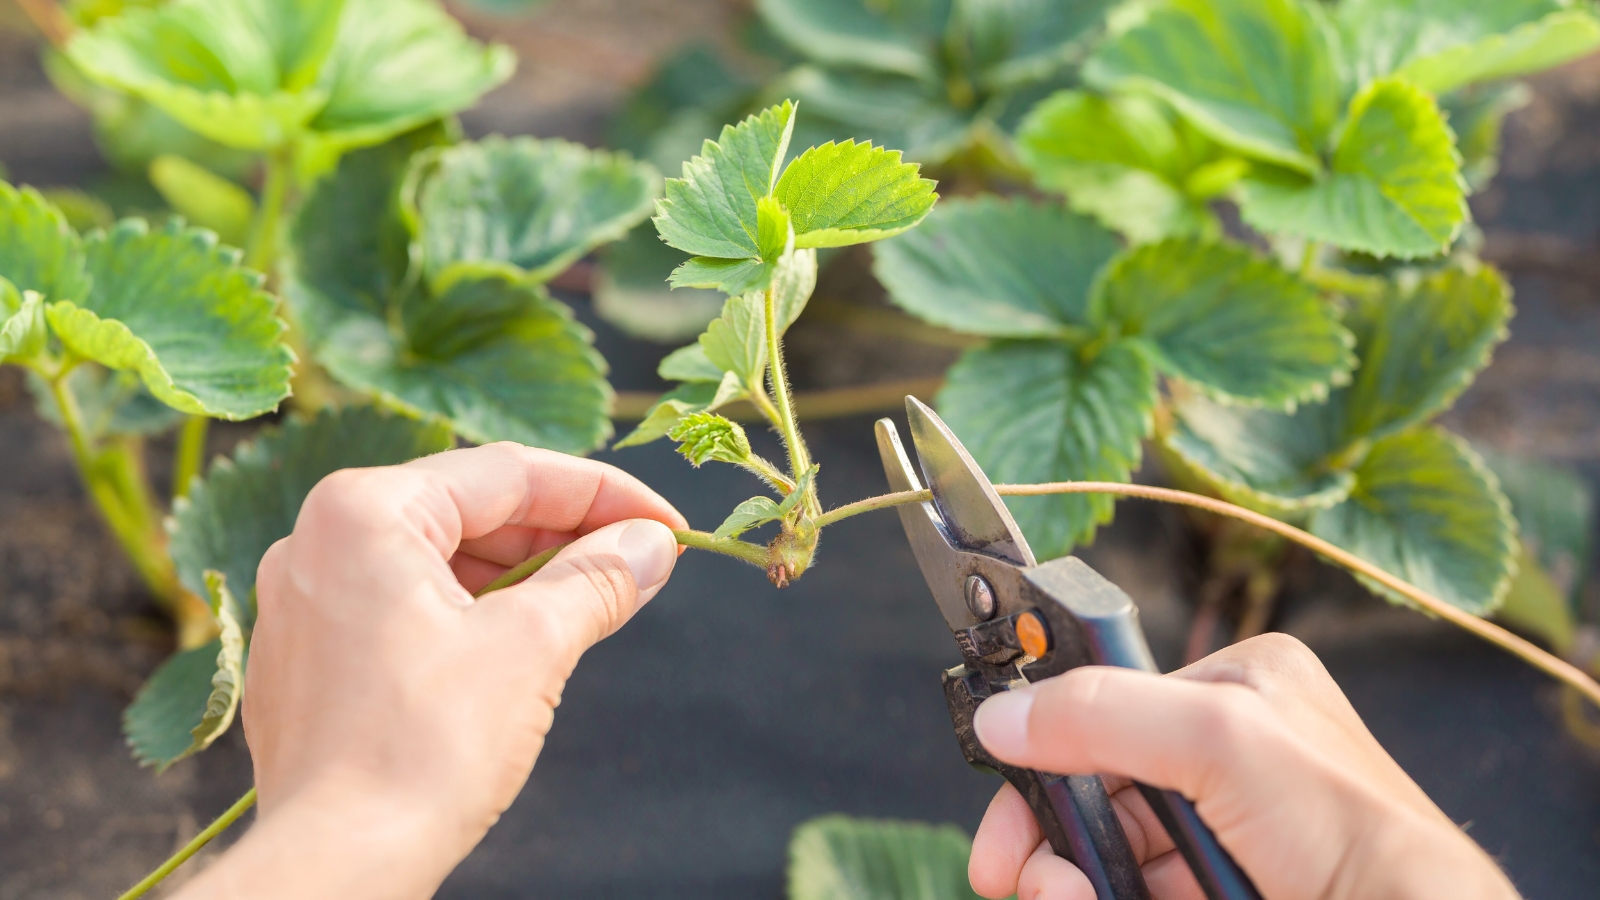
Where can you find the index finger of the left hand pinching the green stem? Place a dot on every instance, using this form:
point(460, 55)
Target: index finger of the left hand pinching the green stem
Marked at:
point(510, 484)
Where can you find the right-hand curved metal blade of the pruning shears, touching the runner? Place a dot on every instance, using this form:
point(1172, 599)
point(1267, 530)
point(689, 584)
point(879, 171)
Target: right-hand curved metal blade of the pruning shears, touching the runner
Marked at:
point(974, 513)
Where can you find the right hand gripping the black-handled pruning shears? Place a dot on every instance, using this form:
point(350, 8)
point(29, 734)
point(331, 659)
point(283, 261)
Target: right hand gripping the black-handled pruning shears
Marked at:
point(1276, 760)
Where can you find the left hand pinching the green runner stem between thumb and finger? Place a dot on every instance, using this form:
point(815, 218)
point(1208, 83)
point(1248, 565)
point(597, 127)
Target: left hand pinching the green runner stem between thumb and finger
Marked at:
point(393, 718)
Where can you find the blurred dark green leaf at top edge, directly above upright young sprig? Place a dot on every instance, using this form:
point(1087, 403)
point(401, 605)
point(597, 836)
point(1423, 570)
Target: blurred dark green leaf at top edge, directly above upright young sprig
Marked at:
point(886, 38)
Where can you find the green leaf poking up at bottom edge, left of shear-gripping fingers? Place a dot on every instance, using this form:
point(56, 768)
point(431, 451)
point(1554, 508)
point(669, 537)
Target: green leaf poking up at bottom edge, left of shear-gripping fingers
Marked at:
point(838, 858)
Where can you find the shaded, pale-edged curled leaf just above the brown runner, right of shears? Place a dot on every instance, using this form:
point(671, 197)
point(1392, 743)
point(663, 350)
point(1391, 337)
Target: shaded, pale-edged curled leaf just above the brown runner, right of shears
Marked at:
point(1265, 460)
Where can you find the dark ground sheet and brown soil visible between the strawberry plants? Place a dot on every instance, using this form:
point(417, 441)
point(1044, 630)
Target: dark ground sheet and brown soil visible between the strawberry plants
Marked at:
point(690, 745)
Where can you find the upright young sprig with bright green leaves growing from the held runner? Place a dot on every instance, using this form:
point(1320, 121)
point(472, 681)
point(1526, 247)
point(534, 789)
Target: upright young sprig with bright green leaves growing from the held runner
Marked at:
point(753, 227)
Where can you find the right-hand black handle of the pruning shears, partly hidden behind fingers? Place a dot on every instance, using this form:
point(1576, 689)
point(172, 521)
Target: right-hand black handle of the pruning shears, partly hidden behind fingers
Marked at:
point(1118, 641)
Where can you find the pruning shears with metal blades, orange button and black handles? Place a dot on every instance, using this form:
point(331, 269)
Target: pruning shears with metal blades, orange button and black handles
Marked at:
point(1018, 622)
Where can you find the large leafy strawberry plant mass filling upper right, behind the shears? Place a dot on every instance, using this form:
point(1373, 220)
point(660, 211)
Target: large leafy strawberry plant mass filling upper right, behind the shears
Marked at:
point(1302, 382)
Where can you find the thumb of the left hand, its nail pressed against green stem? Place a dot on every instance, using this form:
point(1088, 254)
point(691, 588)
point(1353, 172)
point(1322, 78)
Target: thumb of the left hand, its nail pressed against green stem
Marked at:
point(590, 590)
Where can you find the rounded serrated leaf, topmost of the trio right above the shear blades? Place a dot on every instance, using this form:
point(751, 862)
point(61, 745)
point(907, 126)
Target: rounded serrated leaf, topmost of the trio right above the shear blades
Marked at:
point(1228, 321)
